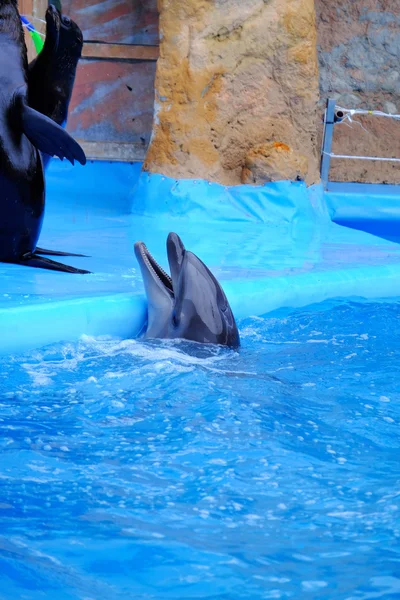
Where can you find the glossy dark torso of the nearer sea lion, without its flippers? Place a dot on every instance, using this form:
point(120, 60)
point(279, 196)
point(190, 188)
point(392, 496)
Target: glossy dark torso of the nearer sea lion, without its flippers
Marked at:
point(21, 175)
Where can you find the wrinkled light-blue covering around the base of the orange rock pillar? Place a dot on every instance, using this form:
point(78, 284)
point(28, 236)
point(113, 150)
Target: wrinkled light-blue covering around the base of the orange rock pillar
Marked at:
point(275, 204)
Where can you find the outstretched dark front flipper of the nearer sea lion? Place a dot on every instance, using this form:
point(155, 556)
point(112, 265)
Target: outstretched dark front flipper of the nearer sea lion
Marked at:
point(48, 137)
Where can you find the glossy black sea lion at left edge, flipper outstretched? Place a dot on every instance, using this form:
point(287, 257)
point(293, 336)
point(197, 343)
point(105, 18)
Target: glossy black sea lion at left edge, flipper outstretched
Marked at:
point(23, 133)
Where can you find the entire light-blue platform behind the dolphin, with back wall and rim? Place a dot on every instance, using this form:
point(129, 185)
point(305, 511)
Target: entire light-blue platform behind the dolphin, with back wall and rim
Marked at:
point(279, 245)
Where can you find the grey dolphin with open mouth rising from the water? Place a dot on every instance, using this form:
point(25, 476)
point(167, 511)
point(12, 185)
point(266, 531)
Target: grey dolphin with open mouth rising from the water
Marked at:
point(190, 304)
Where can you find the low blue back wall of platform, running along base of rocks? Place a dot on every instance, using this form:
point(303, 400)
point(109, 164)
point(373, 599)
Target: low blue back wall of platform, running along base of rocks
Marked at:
point(125, 188)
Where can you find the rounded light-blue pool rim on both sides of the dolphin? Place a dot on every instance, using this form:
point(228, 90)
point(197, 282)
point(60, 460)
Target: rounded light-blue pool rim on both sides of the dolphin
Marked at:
point(123, 315)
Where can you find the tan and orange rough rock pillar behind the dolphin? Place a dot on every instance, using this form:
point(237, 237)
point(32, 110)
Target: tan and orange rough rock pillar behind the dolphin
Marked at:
point(233, 77)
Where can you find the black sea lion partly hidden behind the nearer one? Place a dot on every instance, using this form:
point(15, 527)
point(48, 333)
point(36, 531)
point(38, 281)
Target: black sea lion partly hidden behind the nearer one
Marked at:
point(51, 75)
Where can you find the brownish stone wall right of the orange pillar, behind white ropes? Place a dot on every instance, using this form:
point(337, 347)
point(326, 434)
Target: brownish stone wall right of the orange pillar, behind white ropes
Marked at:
point(359, 66)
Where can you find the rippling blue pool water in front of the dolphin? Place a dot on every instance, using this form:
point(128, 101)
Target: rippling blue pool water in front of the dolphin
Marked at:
point(133, 470)
